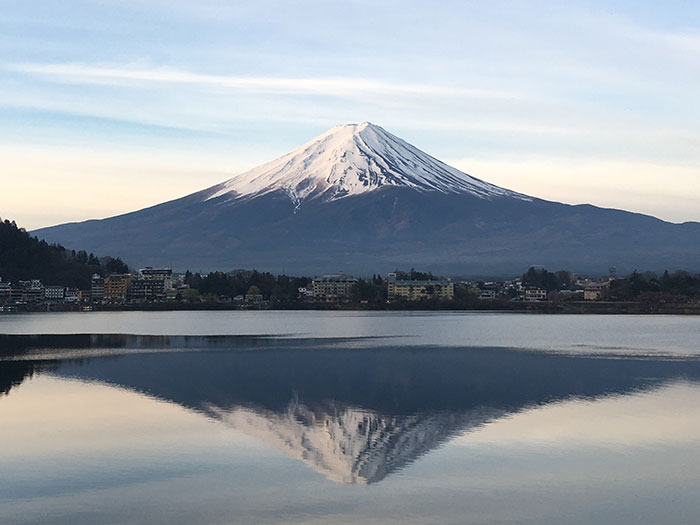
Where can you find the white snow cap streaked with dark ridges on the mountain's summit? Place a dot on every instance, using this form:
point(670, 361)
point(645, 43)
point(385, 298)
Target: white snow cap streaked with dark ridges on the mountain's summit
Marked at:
point(350, 160)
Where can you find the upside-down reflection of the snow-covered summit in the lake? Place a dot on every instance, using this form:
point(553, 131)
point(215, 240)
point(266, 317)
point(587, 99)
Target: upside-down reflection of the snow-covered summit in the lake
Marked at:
point(351, 445)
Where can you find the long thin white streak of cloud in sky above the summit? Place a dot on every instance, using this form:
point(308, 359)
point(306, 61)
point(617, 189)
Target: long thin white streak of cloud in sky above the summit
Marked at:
point(80, 73)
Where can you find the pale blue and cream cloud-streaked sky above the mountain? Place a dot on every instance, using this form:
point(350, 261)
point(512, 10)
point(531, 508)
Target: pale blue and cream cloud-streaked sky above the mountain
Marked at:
point(114, 105)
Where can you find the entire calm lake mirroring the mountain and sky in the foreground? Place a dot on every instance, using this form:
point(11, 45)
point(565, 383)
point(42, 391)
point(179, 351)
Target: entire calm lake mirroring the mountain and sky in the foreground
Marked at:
point(348, 417)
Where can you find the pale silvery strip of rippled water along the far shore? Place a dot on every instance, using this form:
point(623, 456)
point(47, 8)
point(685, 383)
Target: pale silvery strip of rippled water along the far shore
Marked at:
point(675, 334)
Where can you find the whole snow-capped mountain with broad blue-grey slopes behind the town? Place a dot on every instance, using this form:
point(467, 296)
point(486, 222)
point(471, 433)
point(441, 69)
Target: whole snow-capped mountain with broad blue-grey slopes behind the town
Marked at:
point(361, 199)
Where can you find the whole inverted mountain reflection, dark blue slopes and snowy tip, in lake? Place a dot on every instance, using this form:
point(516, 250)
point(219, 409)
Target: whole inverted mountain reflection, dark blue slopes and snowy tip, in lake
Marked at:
point(359, 414)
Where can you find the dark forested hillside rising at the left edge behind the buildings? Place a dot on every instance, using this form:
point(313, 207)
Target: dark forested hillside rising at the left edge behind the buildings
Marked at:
point(23, 257)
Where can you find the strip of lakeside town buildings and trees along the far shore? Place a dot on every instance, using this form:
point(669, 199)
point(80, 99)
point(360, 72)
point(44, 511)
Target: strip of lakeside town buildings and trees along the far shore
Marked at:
point(536, 290)
